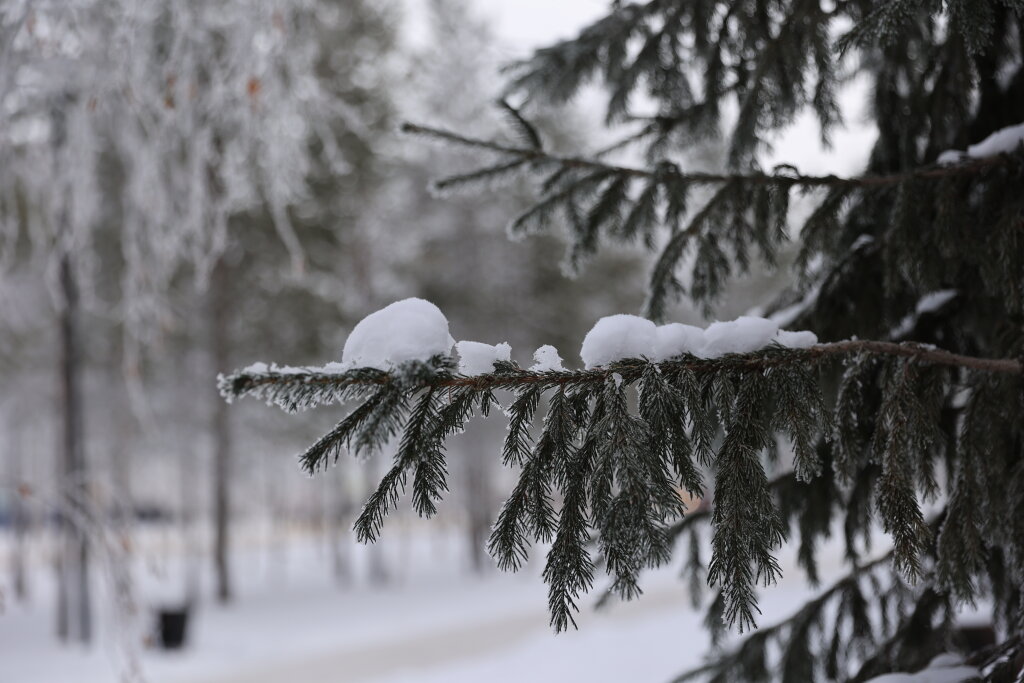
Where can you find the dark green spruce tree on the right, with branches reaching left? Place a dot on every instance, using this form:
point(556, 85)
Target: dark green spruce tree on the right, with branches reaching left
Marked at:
point(907, 417)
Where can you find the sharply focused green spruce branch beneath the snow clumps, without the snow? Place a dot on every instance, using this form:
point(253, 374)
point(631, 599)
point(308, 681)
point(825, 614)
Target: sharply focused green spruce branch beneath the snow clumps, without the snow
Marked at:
point(620, 444)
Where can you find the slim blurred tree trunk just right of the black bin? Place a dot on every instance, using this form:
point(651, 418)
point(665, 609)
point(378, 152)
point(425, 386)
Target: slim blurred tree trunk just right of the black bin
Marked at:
point(221, 431)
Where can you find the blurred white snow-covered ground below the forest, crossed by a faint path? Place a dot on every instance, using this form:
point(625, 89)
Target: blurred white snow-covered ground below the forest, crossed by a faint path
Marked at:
point(436, 623)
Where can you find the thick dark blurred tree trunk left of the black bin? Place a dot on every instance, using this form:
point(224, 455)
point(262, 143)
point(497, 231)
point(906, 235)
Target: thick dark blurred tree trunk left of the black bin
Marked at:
point(74, 610)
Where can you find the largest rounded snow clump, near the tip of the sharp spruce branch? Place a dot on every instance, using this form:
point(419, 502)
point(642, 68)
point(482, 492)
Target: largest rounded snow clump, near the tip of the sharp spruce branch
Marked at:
point(407, 330)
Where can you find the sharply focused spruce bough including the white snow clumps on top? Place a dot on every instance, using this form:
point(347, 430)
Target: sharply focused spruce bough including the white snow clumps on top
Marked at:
point(593, 465)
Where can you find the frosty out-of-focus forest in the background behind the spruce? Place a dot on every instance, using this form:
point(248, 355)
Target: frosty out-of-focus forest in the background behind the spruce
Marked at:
point(146, 252)
